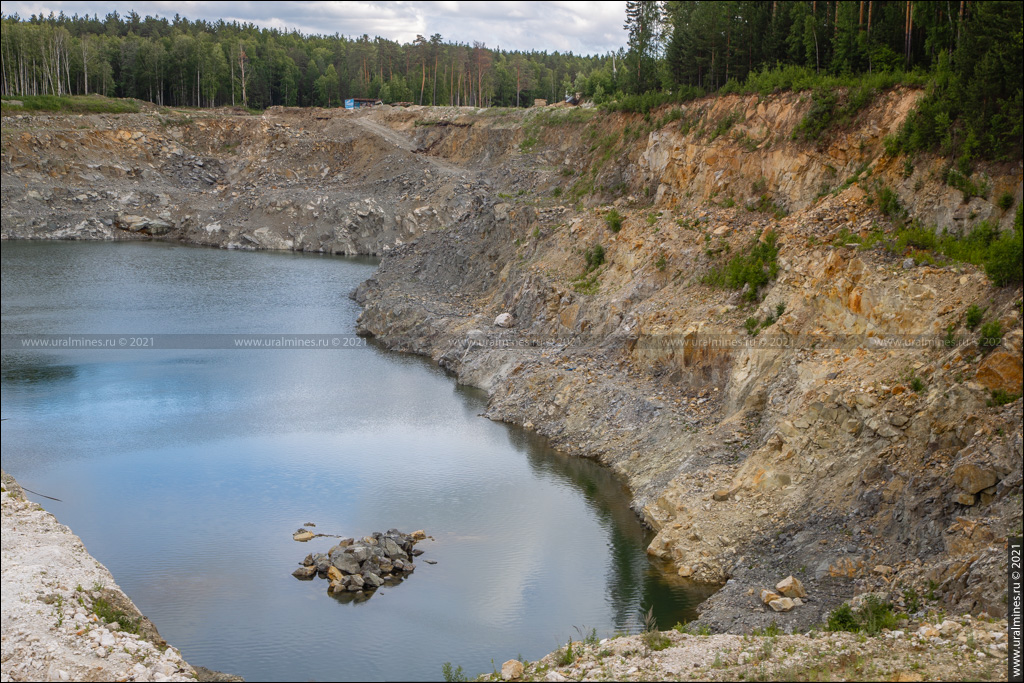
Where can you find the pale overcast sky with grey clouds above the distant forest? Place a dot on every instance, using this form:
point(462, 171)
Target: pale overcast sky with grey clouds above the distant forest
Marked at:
point(584, 28)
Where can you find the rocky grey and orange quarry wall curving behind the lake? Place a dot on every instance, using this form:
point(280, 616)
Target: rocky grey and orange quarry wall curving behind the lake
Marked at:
point(847, 444)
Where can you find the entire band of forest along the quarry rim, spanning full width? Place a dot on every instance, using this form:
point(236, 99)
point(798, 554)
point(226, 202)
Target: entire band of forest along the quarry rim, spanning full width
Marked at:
point(971, 51)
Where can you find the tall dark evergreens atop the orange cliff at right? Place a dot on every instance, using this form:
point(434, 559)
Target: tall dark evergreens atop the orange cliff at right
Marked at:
point(971, 53)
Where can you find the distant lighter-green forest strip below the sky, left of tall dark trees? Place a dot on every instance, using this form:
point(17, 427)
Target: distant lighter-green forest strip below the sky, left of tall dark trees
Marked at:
point(181, 63)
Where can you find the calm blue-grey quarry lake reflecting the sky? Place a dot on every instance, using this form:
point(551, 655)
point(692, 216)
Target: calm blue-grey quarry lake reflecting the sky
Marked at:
point(186, 473)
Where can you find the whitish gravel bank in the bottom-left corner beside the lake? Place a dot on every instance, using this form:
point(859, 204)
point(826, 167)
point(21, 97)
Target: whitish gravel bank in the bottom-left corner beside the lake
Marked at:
point(65, 618)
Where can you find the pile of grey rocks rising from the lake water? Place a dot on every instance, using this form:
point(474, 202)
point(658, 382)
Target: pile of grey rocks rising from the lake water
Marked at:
point(366, 565)
